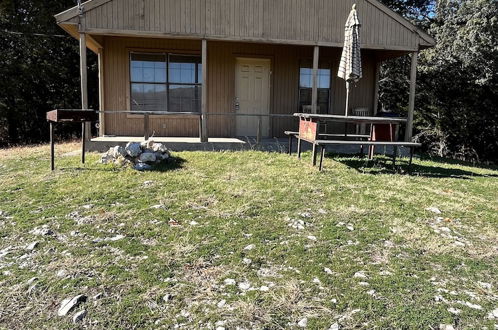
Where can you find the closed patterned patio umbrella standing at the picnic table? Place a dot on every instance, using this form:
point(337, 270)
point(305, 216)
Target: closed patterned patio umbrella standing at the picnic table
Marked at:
point(350, 67)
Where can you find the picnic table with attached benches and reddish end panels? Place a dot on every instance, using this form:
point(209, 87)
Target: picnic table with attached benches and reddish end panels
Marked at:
point(309, 132)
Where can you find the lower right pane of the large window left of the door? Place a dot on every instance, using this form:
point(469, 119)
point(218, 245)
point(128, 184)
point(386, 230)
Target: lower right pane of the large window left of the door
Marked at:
point(184, 98)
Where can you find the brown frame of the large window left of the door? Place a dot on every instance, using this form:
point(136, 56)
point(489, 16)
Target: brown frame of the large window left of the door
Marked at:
point(167, 84)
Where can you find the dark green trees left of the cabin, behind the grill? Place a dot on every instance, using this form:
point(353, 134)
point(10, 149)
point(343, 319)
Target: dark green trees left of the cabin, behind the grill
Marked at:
point(39, 72)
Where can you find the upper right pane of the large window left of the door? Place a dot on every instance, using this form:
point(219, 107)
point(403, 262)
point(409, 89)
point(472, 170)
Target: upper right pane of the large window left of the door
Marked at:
point(184, 69)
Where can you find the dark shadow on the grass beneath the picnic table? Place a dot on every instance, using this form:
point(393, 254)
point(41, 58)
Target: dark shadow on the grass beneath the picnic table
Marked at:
point(384, 165)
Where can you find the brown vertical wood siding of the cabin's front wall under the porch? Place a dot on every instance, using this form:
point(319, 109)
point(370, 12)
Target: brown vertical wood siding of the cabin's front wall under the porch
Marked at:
point(221, 90)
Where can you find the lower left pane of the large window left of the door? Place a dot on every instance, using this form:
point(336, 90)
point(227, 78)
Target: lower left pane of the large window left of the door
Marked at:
point(148, 97)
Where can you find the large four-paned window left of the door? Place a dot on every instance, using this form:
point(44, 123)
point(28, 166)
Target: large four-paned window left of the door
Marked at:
point(165, 82)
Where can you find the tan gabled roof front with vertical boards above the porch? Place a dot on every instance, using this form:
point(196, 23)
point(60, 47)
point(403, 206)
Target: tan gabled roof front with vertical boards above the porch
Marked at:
point(302, 22)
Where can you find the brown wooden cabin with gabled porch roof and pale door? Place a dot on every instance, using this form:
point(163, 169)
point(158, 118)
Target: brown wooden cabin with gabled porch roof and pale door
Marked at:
point(221, 62)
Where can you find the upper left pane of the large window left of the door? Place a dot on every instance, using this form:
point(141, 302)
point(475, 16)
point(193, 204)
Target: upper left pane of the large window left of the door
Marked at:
point(148, 68)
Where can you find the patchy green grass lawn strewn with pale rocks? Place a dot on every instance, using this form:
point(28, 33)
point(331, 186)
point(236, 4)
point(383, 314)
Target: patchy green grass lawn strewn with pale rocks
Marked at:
point(248, 240)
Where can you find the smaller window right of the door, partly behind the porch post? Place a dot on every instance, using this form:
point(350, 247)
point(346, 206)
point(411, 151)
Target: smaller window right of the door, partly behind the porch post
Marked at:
point(306, 83)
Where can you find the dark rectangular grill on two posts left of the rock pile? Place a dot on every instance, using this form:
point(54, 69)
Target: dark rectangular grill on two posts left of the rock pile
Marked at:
point(69, 116)
